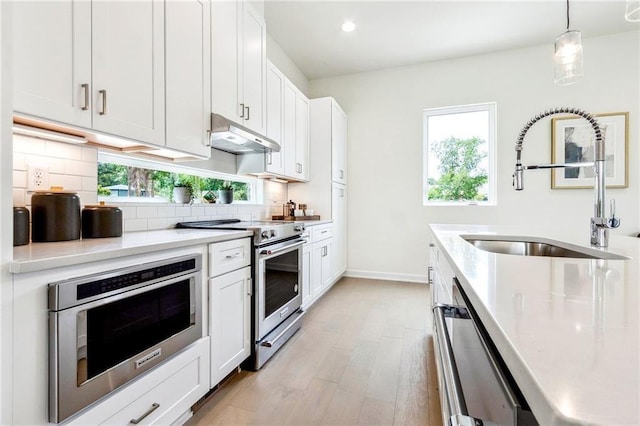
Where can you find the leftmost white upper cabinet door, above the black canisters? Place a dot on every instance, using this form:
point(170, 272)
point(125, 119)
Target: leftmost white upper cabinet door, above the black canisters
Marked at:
point(52, 60)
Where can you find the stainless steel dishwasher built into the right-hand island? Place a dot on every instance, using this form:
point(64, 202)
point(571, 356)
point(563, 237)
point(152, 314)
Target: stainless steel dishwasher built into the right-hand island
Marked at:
point(475, 386)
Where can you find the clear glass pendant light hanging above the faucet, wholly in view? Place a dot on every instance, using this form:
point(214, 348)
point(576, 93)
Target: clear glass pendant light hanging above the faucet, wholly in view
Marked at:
point(568, 56)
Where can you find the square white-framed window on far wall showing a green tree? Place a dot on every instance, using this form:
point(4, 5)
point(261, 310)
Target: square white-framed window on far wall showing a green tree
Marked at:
point(459, 155)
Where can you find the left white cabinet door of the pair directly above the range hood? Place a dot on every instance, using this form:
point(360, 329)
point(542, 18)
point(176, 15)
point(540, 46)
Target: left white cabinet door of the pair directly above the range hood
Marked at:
point(226, 70)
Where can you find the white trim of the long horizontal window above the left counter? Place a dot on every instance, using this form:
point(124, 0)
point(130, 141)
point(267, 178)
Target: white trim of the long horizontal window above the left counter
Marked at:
point(256, 185)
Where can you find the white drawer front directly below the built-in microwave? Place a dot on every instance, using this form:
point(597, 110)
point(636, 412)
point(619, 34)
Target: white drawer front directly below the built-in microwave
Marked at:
point(162, 396)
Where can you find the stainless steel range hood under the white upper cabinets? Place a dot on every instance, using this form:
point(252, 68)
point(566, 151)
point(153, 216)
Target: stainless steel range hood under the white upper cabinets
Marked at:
point(232, 137)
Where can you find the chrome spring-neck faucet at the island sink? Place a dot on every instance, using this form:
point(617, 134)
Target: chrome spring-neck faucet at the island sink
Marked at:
point(600, 224)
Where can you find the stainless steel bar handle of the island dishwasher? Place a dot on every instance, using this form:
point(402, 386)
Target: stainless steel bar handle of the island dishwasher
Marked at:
point(459, 415)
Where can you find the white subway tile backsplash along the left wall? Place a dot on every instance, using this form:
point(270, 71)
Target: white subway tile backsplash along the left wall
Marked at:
point(74, 167)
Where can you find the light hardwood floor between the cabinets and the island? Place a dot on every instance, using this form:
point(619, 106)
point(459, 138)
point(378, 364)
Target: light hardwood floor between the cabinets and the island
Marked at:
point(364, 356)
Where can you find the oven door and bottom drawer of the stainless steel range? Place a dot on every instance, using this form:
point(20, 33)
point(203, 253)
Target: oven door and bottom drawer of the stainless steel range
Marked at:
point(278, 280)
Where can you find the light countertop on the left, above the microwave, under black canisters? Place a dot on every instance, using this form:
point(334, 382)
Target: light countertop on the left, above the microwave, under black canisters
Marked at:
point(41, 256)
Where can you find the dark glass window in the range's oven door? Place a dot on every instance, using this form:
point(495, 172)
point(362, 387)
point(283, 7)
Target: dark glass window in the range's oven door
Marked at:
point(281, 281)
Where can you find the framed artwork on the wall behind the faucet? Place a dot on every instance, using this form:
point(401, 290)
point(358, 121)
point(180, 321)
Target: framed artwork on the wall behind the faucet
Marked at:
point(572, 141)
